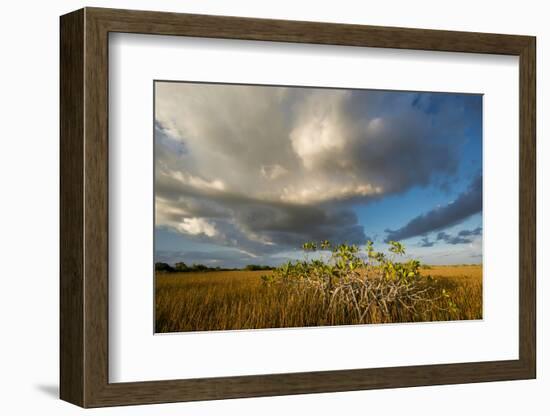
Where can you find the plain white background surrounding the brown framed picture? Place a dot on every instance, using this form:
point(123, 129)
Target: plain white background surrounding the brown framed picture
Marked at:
point(29, 159)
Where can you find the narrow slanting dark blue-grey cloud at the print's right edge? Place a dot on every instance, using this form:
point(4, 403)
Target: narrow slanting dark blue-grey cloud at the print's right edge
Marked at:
point(466, 204)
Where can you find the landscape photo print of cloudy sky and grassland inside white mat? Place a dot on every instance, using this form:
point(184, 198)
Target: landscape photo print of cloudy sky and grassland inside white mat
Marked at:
point(290, 206)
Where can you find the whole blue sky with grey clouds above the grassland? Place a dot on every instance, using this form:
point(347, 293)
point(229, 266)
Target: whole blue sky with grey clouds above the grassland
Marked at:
point(246, 174)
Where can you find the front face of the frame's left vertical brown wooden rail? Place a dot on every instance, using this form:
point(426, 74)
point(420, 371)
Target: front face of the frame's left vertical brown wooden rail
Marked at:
point(96, 208)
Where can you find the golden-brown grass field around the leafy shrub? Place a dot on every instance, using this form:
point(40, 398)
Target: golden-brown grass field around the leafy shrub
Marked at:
point(239, 300)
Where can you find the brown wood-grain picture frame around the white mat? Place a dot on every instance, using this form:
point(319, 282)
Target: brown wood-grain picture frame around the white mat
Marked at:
point(84, 207)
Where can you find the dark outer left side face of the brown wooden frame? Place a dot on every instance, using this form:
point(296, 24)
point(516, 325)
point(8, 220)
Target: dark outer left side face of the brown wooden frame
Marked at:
point(71, 208)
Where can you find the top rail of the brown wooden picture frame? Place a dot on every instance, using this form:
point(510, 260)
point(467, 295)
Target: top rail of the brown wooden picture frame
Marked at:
point(162, 23)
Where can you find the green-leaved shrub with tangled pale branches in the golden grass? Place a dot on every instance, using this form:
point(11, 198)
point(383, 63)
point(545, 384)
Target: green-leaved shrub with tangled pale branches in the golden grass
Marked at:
point(363, 284)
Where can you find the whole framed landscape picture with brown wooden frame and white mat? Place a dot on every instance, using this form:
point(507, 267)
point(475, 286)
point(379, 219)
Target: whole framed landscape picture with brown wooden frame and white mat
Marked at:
point(255, 207)
